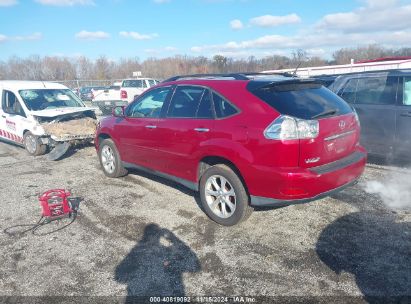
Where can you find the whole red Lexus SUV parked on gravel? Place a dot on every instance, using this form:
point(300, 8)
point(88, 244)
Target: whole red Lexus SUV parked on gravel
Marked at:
point(241, 140)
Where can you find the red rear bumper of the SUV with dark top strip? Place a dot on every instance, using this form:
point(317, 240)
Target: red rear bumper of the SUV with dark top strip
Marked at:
point(301, 185)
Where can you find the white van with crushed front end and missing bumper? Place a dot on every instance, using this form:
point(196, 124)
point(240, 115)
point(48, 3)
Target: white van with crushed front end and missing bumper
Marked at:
point(44, 116)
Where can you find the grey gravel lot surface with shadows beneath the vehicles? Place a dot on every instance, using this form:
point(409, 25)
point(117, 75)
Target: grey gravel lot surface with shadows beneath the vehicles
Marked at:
point(142, 235)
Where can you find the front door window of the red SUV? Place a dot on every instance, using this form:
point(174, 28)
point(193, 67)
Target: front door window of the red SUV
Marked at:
point(149, 104)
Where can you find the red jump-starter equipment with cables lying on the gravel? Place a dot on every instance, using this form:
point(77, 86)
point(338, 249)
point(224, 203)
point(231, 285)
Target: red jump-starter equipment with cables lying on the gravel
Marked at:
point(55, 204)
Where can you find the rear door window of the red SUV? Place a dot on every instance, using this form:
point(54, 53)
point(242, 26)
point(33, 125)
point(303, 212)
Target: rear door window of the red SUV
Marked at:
point(190, 102)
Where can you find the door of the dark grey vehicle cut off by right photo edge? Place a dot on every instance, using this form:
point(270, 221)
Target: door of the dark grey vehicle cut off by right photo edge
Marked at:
point(403, 136)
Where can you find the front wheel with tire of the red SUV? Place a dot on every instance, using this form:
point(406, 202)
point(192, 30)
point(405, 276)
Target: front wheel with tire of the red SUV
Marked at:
point(110, 159)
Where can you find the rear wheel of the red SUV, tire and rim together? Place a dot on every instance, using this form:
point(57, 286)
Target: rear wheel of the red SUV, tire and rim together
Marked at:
point(223, 196)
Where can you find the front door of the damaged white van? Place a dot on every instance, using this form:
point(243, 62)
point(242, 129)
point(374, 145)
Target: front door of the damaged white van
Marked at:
point(12, 117)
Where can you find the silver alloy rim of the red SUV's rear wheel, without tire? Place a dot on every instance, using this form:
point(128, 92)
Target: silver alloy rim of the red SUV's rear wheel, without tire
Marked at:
point(220, 196)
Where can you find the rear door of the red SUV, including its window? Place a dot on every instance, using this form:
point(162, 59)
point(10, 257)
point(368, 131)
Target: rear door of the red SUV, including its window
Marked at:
point(188, 124)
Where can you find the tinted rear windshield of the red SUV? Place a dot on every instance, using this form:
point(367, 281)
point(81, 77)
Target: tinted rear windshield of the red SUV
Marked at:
point(303, 100)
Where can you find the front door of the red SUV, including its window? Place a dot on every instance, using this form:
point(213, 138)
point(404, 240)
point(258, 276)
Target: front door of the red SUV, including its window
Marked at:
point(138, 131)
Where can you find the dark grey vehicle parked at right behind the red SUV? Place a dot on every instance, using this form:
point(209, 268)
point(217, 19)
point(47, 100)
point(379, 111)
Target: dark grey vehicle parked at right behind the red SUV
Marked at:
point(383, 103)
